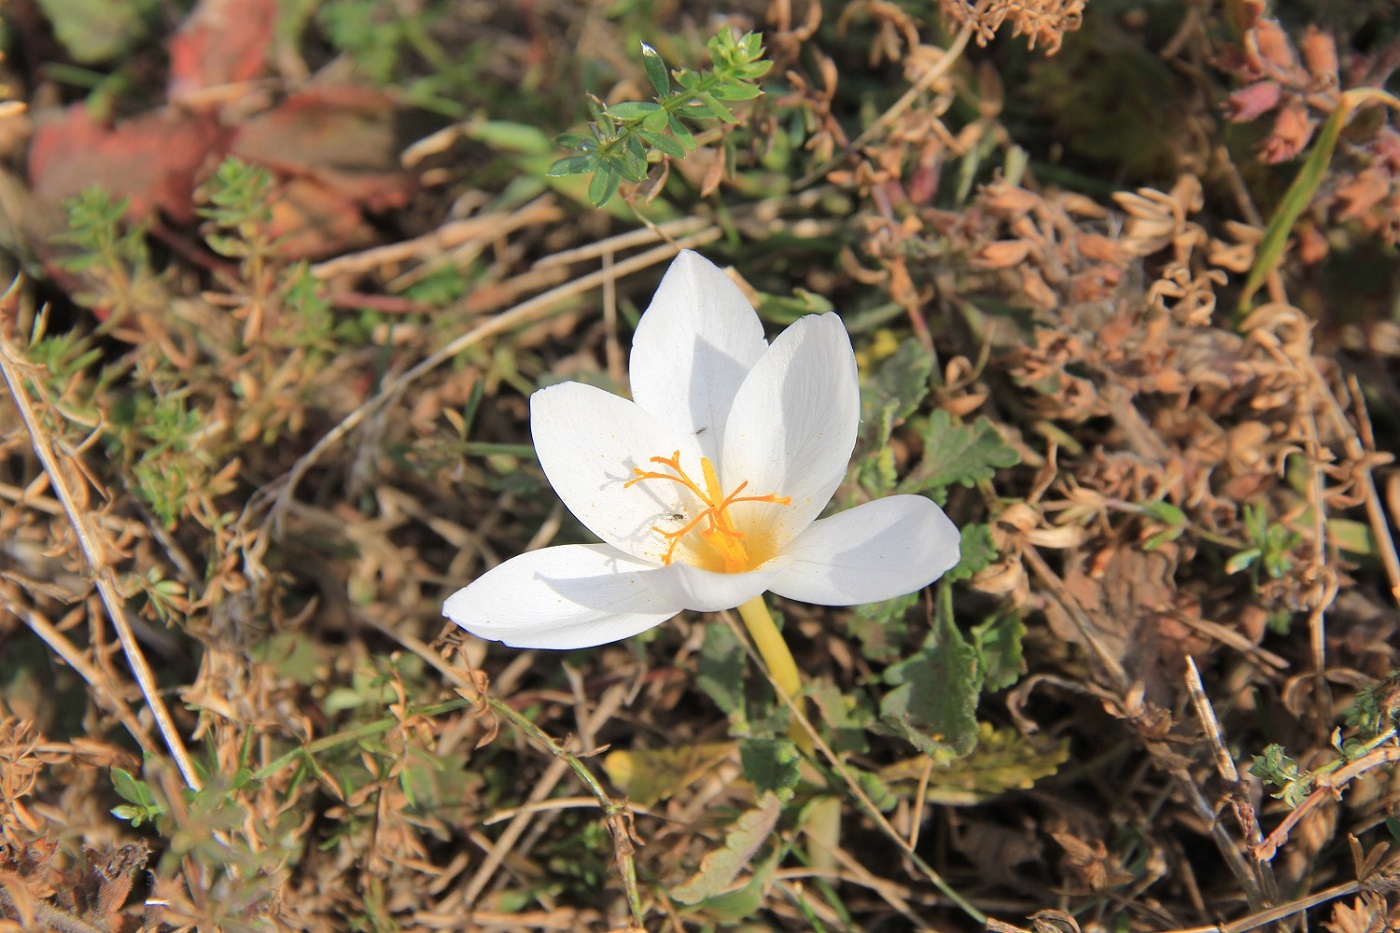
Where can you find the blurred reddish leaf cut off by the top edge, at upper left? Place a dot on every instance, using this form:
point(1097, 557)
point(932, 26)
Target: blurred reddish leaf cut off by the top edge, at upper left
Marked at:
point(220, 43)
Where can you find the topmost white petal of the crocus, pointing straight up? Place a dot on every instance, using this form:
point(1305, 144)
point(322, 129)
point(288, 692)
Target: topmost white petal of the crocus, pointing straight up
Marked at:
point(692, 350)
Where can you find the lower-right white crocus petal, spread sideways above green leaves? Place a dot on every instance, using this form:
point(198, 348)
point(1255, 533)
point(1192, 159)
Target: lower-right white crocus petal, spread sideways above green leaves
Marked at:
point(877, 551)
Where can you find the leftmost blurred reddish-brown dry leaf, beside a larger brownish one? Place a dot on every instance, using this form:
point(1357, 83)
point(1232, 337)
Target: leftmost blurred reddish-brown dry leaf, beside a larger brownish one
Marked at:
point(152, 160)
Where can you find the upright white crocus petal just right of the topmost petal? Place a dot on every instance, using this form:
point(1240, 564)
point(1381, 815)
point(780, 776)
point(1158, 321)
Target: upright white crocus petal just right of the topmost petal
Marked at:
point(793, 427)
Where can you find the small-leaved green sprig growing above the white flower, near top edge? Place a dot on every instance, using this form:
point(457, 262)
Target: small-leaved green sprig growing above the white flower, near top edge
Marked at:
point(621, 137)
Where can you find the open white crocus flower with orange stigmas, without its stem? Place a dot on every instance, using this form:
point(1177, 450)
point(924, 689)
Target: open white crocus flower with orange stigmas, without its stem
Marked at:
point(706, 488)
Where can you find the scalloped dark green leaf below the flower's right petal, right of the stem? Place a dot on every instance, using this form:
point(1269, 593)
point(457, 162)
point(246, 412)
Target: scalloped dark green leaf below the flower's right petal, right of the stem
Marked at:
point(934, 701)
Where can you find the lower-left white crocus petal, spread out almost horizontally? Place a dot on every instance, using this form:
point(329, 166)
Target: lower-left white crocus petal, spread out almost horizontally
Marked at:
point(569, 597)
